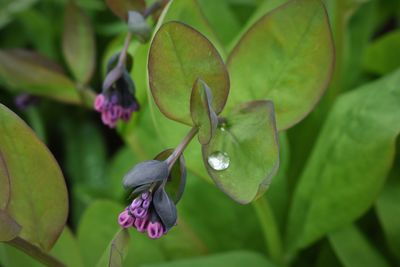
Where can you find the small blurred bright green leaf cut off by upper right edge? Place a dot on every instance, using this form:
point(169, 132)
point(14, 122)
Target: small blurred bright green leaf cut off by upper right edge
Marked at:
point(383, 56)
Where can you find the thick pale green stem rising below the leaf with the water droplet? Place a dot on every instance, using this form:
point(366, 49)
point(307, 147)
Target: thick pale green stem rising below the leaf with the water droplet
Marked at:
point(270, 231)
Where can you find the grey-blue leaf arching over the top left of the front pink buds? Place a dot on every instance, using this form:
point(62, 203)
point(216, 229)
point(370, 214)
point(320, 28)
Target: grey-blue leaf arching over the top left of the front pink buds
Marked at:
point(145, 173)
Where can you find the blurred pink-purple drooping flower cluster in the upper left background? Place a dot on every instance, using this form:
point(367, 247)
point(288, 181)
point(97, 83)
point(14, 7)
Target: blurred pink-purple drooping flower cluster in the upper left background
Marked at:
point(117, 101)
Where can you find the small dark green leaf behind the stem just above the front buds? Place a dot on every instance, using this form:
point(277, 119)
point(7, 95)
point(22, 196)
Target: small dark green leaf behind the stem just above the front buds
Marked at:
point(177, 176)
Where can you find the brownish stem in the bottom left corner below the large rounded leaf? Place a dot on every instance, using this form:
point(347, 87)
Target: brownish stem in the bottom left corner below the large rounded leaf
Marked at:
point(35, 252)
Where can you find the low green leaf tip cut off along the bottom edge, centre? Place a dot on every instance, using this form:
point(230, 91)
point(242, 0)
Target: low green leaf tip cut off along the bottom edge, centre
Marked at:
point(228, 259)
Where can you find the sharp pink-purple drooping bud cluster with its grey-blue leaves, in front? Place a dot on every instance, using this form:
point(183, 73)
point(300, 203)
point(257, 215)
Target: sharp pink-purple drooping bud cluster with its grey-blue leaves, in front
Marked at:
point(151, 210)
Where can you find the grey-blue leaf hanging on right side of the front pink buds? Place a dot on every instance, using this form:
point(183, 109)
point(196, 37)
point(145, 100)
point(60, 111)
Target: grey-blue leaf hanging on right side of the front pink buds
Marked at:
point(165, 208)
